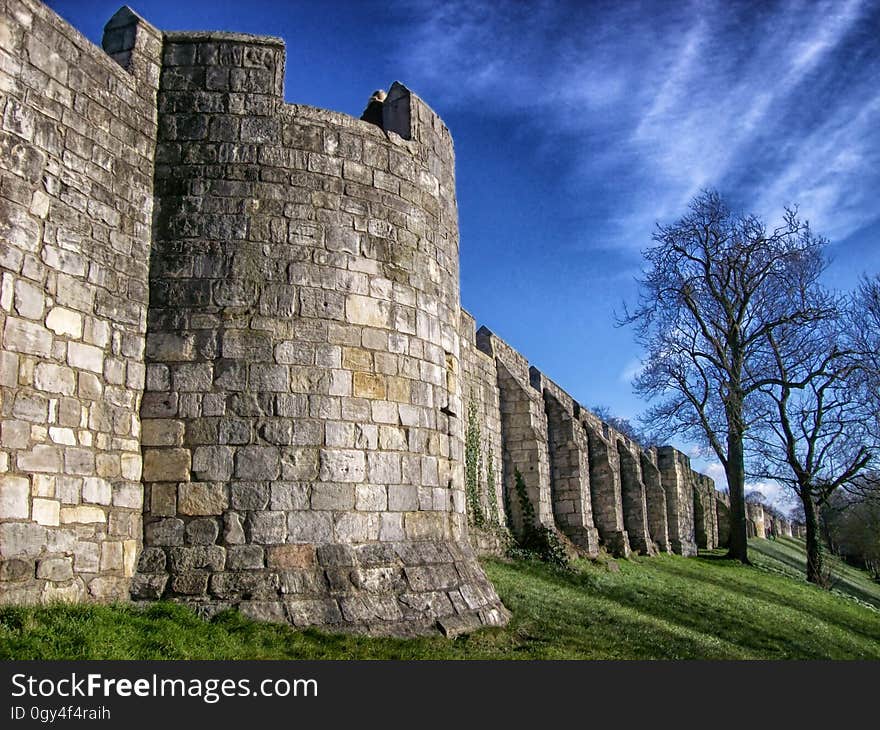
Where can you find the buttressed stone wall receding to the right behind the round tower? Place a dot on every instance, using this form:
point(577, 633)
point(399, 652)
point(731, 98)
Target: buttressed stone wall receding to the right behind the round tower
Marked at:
point(589, 482)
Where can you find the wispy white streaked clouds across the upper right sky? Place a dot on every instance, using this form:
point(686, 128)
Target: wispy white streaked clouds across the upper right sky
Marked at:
point(772, 103)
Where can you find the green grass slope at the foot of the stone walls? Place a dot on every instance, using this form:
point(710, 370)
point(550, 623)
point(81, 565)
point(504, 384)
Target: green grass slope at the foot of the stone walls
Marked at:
point(653, 608)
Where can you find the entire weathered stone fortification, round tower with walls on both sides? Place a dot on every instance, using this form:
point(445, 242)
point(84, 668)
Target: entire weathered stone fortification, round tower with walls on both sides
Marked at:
point(234, 370)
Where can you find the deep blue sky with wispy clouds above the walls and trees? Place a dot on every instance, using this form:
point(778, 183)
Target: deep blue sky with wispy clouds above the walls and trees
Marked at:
point(580, 125)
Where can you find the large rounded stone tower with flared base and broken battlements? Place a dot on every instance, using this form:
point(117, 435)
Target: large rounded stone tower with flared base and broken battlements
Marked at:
point(302, 420)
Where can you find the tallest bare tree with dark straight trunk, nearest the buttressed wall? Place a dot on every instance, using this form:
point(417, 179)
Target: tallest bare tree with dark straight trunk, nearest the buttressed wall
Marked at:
point(716, 284)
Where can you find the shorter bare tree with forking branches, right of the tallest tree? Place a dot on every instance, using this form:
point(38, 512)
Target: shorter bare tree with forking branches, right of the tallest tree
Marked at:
point(816, 436)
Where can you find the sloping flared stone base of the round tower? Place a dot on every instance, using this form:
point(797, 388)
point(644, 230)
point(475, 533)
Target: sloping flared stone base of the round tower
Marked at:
point(397, 588)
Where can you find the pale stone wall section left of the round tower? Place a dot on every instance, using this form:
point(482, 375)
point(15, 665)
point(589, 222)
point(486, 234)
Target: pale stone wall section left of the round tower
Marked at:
point(76, 168)
